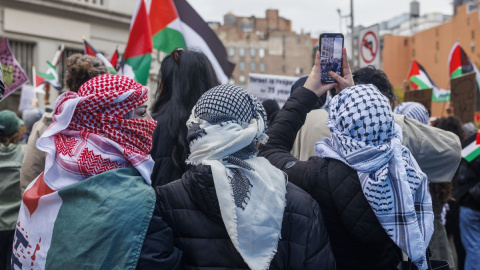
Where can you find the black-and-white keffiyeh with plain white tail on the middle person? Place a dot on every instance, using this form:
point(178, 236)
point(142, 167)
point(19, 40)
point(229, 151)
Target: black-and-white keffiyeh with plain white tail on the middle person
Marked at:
point(223, 131)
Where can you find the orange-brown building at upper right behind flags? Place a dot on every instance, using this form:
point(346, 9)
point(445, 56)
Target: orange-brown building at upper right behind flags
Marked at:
point(431, 49)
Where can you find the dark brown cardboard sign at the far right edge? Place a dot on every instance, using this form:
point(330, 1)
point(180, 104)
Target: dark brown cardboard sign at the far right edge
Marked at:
point(463, 96)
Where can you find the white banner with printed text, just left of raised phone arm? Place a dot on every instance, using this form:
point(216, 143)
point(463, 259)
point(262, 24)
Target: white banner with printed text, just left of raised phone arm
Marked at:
point(266, 86)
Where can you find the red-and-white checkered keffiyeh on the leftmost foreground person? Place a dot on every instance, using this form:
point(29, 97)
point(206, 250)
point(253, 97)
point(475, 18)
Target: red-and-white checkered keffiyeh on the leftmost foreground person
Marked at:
point(89, 135)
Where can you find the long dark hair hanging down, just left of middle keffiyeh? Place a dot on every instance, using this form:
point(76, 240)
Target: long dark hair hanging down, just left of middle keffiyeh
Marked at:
point(179, 88)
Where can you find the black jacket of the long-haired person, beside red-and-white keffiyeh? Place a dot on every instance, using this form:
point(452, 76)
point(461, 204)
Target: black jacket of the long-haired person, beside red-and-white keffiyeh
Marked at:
point(164, 170)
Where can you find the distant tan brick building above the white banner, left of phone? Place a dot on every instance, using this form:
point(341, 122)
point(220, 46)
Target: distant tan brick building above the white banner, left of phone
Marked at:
point(264, 45)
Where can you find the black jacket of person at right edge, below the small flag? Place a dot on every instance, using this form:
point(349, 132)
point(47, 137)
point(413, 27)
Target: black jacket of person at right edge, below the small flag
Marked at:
point(466, 182)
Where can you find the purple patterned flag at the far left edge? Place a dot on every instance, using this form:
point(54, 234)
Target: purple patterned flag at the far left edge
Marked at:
point(13, 74)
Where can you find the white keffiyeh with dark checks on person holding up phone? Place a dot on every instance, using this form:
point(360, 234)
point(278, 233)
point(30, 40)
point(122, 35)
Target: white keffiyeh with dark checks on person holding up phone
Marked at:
point(365, 136)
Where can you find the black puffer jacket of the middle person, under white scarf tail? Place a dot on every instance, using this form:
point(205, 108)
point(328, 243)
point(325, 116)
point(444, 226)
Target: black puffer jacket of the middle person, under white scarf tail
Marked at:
point(190, 207)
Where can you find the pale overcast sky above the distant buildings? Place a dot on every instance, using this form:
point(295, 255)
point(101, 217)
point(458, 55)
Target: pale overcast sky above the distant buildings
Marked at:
point(317, 16)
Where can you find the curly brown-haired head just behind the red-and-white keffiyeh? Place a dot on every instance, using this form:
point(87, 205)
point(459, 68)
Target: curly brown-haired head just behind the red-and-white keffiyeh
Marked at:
point(81, 68)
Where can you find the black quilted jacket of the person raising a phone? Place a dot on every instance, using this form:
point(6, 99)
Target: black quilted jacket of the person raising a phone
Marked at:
point(358, 240)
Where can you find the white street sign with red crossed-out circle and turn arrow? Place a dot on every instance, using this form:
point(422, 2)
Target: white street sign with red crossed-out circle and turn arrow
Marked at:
point(369, 47)
